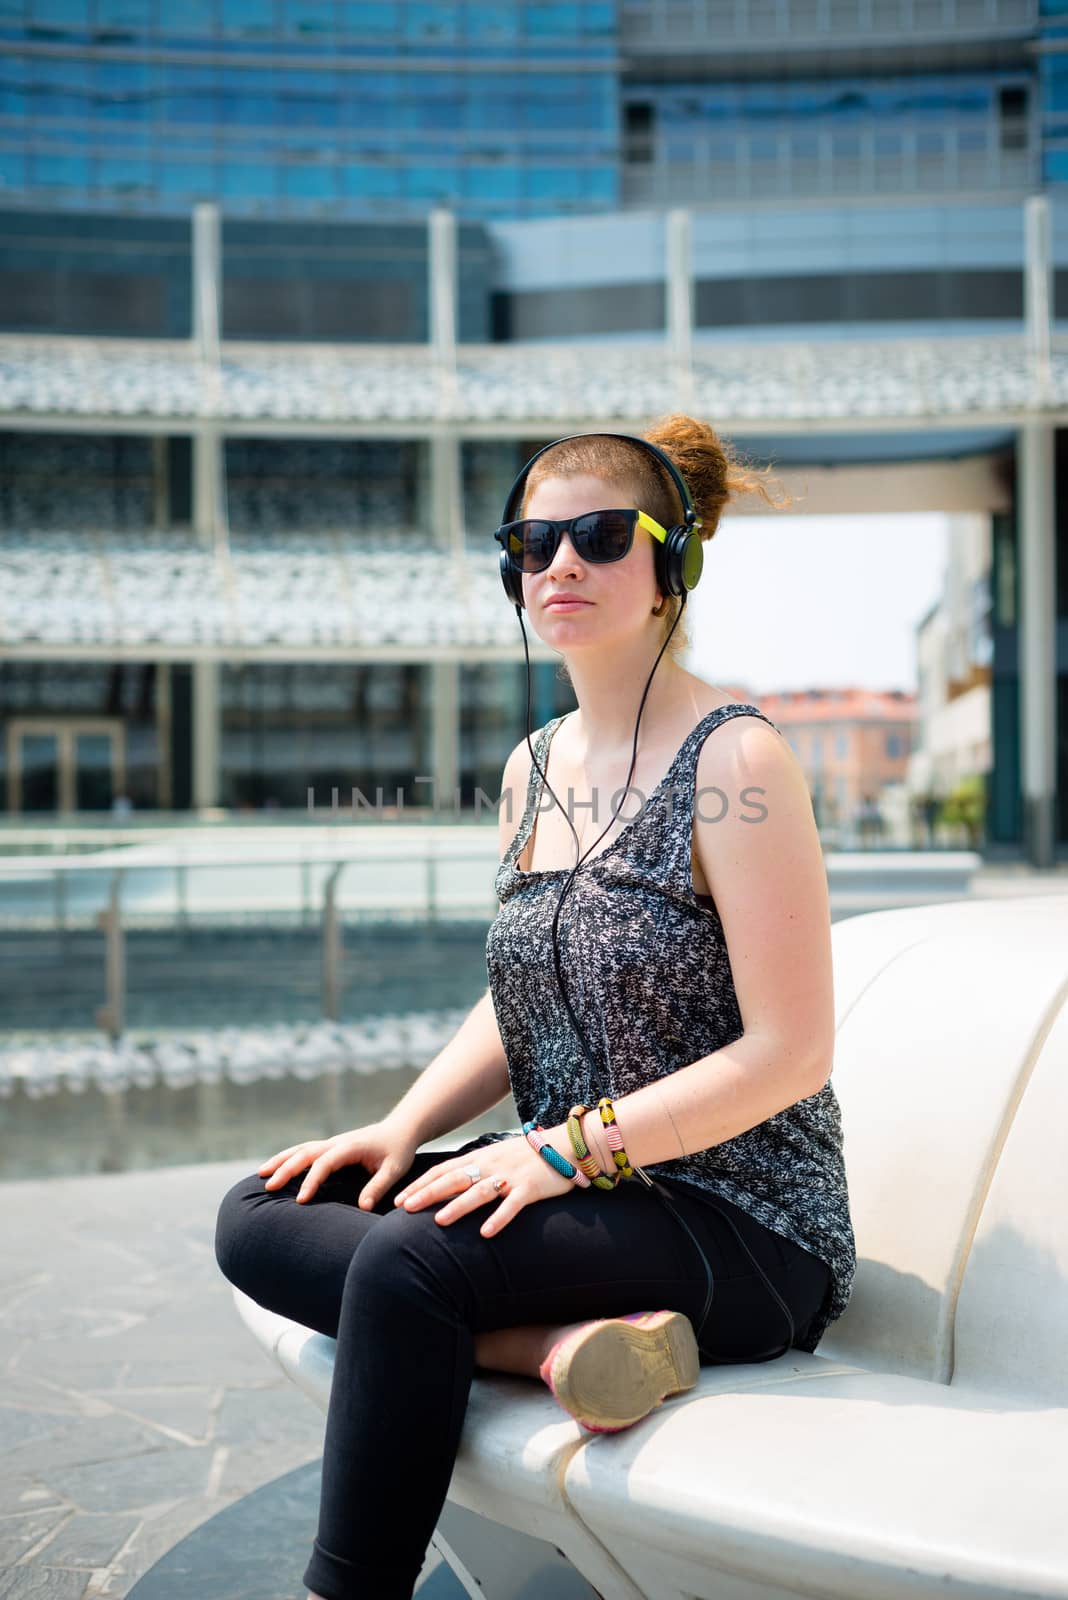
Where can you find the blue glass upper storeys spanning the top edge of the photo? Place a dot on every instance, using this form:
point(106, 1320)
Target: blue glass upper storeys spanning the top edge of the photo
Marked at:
point(357, 110)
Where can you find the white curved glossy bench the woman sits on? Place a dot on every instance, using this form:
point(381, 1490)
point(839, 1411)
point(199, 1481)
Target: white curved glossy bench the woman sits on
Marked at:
point(923, 1449)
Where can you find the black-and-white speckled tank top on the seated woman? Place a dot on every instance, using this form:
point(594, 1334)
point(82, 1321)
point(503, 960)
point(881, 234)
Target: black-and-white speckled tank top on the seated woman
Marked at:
point(648, 975)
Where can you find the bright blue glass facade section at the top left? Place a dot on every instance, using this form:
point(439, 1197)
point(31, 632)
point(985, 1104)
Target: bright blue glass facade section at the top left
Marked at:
point(325, 108)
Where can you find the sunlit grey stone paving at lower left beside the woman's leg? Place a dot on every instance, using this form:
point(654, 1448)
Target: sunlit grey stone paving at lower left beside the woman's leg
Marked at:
point(133, 1404)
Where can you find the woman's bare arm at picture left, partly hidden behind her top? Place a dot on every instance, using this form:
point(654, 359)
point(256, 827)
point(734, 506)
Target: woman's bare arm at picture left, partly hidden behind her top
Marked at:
point(471, 1074)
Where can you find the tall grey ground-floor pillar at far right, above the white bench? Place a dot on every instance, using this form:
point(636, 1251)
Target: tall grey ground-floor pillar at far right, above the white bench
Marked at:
point(1038, 636)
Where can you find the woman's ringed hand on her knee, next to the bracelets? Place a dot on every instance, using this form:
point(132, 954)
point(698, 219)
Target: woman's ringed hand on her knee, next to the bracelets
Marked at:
point(527, 1178)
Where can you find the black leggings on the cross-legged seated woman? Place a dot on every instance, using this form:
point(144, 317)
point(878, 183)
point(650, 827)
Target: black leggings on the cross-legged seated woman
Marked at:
point(405, 1297)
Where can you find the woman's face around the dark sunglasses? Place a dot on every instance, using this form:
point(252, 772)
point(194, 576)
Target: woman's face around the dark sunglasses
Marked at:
point(618, 598)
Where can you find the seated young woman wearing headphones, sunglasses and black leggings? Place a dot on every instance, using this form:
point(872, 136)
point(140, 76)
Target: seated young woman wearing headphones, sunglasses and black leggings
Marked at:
point(695, 954)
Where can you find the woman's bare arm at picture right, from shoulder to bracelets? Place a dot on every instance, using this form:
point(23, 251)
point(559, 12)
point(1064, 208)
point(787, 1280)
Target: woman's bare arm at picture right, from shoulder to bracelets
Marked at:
point(770, 886)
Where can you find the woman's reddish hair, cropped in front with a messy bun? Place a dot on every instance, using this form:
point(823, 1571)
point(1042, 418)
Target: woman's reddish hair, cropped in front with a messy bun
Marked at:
point(714, 473)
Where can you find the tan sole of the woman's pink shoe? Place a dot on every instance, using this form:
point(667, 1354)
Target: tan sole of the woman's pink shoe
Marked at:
point(612, 1374)
